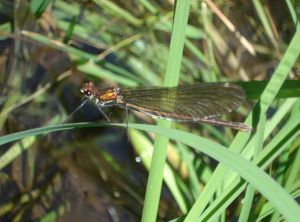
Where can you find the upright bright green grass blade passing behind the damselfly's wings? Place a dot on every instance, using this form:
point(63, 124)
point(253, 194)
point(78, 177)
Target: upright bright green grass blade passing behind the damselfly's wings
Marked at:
point(154, 184)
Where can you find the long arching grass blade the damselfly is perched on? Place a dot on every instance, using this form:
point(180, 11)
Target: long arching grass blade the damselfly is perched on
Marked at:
point(266, 185)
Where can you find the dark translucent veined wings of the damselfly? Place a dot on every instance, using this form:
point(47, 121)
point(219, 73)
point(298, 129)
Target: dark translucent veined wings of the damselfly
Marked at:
point(185, 103)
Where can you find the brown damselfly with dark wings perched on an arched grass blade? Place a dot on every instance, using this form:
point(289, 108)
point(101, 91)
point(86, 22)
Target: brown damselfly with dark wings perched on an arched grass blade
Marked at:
point(201, 102)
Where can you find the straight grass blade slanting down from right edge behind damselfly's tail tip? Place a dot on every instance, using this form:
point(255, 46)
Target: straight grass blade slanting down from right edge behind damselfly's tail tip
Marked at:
point(241, 139)
